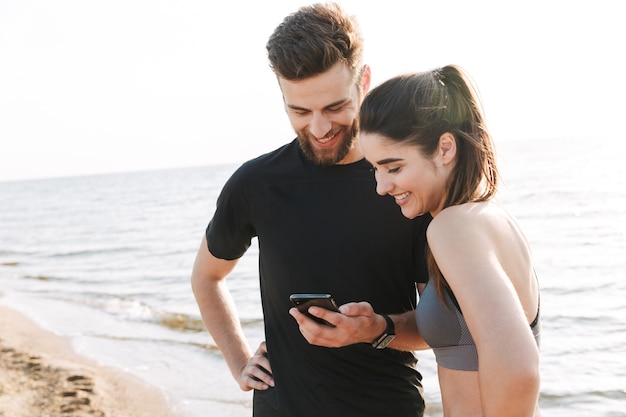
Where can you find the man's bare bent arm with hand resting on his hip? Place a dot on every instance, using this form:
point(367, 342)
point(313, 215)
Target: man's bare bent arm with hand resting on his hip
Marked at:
point(220, 317)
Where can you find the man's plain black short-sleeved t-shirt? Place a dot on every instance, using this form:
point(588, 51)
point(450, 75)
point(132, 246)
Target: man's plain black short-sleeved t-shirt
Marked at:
point(325, 230)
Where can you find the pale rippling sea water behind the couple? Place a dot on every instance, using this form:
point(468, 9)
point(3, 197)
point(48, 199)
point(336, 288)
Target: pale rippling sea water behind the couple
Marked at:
point(106, 261)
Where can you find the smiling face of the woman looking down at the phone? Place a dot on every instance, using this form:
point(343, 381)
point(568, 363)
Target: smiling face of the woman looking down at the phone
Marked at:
point(417, 183)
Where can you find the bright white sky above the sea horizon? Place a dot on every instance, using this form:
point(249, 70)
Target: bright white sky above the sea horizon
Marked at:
point(122, 85)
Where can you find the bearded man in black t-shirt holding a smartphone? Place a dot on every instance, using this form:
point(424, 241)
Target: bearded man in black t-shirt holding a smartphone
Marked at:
point(321, 228)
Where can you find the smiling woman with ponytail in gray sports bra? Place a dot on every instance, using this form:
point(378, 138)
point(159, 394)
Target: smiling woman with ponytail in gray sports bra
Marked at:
point(426, 137)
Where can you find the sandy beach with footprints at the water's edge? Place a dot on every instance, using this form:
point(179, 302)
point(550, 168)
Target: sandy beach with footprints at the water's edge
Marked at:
point(41, 376)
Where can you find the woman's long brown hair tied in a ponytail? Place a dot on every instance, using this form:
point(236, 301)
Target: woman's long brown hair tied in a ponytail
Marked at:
point(417, 109)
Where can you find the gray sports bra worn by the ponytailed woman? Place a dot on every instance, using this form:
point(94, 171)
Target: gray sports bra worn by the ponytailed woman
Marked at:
point(445, 330)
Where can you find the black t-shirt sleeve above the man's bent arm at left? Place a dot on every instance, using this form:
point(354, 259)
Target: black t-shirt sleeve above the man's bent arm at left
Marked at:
point(230, 231)
